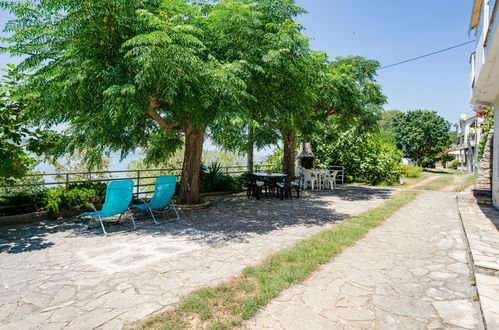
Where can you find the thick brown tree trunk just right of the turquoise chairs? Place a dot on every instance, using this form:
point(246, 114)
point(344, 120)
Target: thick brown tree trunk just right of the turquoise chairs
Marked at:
point(190, 185)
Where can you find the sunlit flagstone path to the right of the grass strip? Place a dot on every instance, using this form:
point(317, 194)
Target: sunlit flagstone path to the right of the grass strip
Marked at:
point(412, 272)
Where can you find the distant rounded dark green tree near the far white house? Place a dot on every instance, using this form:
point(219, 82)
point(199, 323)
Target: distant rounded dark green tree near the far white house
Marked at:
point(421, 134)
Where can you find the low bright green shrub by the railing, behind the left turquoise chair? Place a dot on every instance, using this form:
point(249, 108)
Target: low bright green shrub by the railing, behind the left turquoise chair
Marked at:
point(74, 197)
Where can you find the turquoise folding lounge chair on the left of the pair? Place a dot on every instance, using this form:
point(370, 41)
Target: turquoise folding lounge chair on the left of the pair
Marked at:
point(118, 196)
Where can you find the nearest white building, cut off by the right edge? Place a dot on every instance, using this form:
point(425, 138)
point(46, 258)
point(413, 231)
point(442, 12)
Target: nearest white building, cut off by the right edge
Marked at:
point(485, 71)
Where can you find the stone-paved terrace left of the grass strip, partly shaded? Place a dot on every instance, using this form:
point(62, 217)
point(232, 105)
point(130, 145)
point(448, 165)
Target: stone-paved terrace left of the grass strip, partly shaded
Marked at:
point(58, 274)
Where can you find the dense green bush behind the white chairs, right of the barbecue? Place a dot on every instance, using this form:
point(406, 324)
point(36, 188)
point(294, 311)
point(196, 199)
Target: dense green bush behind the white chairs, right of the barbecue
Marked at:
point(367, 156)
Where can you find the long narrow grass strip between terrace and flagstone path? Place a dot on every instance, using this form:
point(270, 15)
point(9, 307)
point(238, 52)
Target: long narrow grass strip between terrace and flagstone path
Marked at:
point(229, 304)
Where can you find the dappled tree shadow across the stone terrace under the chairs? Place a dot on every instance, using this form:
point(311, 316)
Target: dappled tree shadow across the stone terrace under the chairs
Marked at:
point(232, 218)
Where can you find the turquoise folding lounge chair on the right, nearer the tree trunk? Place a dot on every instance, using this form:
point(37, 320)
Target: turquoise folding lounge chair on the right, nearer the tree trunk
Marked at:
point(164, 188)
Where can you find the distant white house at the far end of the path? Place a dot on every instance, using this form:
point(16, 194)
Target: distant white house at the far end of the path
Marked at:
point(468, 135)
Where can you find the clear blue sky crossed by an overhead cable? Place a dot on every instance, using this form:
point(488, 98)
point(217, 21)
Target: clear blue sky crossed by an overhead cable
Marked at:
point(391, 31)
